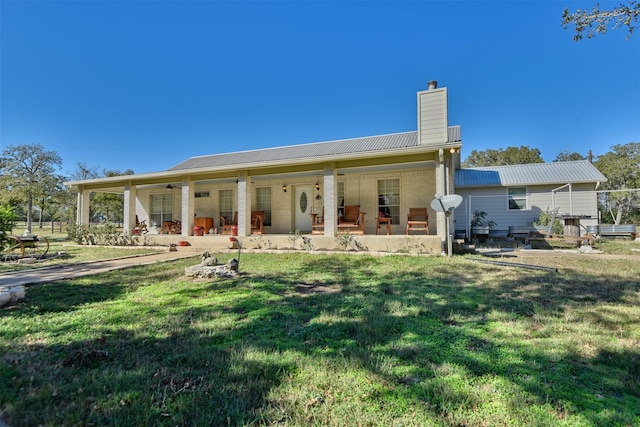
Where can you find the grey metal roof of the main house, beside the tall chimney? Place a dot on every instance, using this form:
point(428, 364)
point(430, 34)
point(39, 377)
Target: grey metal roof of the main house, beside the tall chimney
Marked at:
point(318, 150)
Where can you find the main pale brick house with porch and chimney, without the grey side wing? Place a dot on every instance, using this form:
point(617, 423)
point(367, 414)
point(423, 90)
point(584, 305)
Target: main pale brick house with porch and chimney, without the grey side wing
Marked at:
point(386, 174)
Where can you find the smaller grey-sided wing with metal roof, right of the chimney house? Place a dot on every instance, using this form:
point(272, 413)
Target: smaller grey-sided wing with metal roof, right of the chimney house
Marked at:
point(515, 195)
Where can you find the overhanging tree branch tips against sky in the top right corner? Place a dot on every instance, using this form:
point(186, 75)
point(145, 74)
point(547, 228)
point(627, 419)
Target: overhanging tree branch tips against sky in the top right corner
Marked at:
point(597, 21)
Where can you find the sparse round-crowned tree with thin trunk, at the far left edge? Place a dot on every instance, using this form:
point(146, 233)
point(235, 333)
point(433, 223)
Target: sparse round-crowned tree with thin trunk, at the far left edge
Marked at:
point(26, 174)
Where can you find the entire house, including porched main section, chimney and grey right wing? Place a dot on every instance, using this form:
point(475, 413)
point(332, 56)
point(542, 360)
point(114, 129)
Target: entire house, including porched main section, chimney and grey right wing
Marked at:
point(383, 176)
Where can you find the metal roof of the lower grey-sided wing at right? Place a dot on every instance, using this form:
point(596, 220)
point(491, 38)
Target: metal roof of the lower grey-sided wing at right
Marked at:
point(580, 171)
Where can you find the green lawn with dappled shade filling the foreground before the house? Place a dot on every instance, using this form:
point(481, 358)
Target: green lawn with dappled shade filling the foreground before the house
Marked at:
point(323, 340)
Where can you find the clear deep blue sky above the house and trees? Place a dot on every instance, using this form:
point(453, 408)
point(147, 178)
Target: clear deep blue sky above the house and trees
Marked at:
point(143, 85)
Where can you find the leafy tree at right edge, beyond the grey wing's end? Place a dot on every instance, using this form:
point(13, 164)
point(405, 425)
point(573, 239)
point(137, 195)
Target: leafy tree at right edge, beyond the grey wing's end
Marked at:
point(621, 166)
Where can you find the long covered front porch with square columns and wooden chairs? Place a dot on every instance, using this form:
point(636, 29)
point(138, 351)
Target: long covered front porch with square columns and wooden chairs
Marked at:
point(290, 199)
